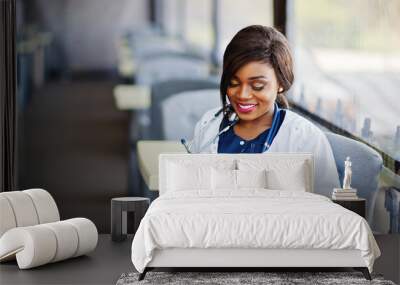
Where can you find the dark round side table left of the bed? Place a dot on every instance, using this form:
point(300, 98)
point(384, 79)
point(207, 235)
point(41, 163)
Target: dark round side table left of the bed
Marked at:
point(119, 208)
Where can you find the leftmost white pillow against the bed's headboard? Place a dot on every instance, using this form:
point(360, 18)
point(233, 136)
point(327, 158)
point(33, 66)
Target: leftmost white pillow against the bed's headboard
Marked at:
point(182, 177)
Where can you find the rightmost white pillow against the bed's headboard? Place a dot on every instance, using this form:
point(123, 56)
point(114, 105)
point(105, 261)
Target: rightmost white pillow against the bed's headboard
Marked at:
point(294, 178)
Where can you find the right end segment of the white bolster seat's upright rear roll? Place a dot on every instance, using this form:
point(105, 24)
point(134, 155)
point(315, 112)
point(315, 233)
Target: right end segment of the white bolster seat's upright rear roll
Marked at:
point(45, 205)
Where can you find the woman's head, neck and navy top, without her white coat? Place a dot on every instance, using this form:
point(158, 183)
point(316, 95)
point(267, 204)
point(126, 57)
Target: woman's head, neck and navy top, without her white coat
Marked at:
point(257, 72)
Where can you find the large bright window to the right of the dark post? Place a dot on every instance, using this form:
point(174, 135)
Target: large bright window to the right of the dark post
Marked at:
point(347, 58)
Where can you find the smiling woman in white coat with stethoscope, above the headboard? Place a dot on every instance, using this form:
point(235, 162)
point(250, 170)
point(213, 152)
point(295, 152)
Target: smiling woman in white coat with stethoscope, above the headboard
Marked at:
point(257, 72)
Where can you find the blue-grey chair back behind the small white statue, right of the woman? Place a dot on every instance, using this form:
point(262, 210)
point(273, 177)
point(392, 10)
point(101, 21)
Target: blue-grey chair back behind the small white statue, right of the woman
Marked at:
point(366, 166)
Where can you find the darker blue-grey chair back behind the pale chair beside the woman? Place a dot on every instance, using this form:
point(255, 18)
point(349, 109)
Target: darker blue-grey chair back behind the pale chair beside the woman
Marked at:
point(161, 91)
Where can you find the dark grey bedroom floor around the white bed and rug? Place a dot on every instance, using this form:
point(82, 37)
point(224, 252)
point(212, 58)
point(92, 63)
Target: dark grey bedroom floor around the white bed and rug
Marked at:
point(111, 259)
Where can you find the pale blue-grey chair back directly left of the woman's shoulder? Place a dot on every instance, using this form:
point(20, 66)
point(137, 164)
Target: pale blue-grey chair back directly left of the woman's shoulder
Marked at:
point(181, 112)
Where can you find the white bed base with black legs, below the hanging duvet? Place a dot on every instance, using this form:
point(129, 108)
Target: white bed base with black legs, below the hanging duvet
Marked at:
point(242, 259)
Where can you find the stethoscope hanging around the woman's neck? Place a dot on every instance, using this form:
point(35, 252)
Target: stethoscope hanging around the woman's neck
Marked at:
point(233, 119)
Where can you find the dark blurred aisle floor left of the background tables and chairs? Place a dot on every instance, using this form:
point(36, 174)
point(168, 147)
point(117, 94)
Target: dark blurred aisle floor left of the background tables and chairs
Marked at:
point(74, 143)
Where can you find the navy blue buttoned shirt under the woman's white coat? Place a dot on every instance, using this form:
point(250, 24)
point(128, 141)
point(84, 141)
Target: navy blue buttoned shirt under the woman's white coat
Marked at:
point(229, 142)
